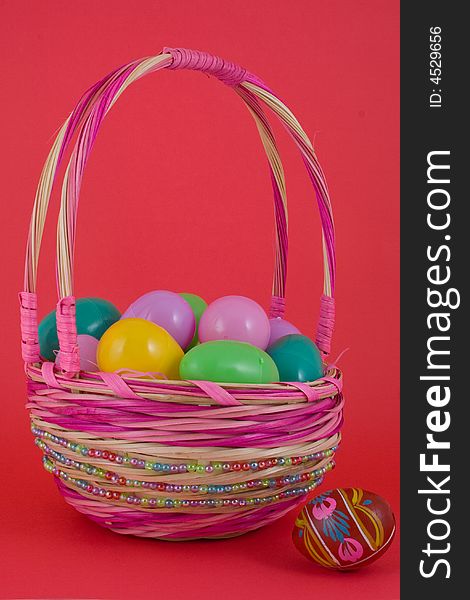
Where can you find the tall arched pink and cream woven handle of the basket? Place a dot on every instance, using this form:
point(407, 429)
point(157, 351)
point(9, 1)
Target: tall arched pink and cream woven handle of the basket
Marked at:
point(87, 118)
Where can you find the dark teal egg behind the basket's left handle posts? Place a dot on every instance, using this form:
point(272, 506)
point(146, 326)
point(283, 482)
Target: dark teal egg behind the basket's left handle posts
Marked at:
point(94, 316)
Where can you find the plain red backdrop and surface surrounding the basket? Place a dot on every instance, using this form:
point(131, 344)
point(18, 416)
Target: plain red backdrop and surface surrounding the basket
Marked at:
point(177, 196)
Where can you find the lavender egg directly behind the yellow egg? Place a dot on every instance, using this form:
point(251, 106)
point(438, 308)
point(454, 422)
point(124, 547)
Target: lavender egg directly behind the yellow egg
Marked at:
point(168, 310)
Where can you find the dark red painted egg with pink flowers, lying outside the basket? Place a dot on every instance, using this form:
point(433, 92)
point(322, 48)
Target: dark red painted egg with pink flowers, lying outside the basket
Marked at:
point(345, 528)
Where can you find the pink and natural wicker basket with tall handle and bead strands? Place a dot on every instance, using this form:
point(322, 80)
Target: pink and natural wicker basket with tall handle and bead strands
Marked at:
point(177, 459)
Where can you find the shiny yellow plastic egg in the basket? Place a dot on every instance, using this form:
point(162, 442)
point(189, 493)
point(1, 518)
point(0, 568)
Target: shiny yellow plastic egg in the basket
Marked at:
point(139, 345)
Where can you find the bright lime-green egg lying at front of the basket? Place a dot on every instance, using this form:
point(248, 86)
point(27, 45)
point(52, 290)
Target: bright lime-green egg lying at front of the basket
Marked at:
point(226, 361)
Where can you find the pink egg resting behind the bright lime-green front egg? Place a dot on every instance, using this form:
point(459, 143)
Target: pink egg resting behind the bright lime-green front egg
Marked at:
point(235, 318)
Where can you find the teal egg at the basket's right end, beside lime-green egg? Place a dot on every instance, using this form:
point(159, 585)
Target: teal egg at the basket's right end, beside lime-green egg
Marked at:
point(297, 358)
